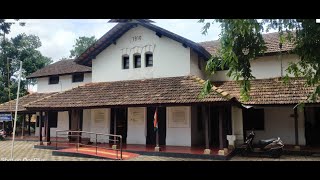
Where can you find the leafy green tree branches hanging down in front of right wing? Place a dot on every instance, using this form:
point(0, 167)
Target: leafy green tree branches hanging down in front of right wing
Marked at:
point(241, 42)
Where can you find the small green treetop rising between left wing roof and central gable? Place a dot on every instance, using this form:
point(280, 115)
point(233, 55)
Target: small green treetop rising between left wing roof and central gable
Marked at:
point(82, 44)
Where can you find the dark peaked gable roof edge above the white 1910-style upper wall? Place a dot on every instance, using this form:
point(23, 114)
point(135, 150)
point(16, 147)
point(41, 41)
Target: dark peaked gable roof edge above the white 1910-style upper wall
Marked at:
point(117, 31)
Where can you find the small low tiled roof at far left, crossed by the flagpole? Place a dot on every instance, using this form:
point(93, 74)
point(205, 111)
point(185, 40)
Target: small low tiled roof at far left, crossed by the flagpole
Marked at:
point(11, 105)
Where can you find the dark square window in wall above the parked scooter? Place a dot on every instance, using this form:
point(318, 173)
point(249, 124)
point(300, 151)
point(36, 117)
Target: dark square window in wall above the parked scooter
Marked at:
point(253, 119)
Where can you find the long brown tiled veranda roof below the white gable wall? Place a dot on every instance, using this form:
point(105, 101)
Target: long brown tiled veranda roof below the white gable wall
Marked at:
point(171, 90)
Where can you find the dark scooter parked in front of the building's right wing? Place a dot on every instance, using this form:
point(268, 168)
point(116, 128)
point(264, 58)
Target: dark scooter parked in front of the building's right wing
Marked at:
point(269, 147)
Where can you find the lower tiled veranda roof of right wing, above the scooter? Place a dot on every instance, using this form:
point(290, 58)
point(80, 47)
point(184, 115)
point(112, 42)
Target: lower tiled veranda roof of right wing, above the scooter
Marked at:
point(270, 91)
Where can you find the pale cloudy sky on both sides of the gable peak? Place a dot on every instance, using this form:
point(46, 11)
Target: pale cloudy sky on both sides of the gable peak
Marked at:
point(59, 35)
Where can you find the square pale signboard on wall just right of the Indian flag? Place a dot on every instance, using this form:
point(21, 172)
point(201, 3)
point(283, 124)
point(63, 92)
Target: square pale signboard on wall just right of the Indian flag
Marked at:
point(178, 118)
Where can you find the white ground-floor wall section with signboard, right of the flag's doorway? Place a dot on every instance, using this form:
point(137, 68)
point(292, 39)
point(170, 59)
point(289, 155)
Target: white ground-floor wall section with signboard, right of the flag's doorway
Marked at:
point(178, 126)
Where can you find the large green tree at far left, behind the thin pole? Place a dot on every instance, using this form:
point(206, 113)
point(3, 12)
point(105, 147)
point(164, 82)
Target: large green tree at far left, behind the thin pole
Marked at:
point(22, 47)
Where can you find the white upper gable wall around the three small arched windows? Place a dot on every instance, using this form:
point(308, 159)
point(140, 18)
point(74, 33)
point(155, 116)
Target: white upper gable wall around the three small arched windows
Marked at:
point(170, 58)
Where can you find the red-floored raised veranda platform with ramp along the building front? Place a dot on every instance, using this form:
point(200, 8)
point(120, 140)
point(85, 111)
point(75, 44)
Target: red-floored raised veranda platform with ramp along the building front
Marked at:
point(131, 151)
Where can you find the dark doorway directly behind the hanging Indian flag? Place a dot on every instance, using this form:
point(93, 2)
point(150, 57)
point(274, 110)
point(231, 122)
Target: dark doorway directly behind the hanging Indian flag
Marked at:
point(162, 126)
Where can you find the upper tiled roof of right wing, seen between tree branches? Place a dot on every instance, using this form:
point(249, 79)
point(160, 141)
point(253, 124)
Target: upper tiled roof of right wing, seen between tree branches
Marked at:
point(271, 40)
